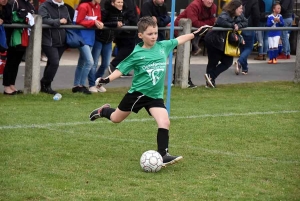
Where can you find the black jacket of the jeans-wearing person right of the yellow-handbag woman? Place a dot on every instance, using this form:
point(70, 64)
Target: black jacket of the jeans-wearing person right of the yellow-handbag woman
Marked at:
point(252, 12)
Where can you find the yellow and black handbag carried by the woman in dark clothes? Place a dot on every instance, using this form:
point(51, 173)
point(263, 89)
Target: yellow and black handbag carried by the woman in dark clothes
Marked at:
point(232, 44)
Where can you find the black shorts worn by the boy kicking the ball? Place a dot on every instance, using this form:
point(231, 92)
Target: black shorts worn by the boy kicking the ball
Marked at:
point(133, 102)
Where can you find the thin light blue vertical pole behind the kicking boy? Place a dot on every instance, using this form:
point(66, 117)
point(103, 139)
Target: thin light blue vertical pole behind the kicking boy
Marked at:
point(170, 67)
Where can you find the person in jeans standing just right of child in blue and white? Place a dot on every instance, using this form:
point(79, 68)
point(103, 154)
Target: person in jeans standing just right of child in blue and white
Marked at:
point(287, 7)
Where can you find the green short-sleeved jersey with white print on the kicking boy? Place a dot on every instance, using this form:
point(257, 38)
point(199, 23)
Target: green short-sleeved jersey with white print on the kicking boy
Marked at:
point(149, 67)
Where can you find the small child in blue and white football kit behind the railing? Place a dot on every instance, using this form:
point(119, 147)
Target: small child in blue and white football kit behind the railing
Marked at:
point(274, 20)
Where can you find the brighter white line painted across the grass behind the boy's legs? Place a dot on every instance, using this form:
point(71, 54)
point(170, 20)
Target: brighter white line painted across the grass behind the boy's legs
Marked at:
point(148, 119)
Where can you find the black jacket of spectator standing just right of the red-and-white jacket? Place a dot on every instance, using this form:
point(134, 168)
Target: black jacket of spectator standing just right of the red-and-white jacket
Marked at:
point(110, 17)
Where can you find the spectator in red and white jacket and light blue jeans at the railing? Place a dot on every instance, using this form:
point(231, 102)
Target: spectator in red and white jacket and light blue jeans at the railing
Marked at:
point(88, 15)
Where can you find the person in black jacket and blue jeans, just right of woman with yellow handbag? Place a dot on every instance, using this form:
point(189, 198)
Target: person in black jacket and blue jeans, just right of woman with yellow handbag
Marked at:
point(251, 12)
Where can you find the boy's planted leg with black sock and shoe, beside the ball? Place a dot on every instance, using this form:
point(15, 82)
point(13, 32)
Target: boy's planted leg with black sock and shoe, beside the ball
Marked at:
point(162, 119)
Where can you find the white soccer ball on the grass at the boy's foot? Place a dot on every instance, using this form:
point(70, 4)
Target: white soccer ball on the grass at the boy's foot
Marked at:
point(151, 161)
